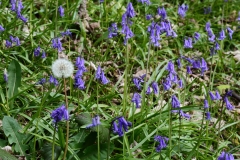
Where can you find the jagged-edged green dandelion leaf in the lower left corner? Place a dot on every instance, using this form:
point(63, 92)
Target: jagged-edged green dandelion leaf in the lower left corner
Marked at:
point(11, 129)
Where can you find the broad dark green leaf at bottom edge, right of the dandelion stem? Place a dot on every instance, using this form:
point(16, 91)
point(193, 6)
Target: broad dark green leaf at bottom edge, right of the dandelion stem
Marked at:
point(91, 152)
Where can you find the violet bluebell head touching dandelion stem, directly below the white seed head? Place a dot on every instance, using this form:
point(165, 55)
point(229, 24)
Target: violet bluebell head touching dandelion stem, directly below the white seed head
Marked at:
point(59, 113)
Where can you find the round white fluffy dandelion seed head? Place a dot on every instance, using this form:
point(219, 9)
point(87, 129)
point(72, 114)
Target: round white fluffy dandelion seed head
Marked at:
point(62, 68)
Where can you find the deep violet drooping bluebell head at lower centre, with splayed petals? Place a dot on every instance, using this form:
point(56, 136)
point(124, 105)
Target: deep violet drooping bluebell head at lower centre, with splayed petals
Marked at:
point(122, 124)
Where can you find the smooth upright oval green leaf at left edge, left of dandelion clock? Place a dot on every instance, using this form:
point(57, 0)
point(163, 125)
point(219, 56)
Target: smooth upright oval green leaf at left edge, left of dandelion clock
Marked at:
point(14, 78)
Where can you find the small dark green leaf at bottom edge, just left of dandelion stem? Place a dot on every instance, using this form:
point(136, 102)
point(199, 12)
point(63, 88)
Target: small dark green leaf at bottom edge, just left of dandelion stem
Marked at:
point(46, 151)
